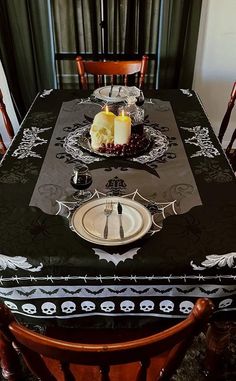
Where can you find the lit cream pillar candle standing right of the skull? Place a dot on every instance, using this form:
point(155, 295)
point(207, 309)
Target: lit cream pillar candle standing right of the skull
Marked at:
point(122, 129)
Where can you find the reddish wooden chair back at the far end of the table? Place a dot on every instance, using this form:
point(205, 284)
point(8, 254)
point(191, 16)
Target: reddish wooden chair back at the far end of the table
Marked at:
point(112, 69)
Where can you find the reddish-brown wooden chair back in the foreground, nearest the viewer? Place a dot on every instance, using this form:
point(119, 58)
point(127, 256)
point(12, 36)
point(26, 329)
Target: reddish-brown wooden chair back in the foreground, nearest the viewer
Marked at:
point(152, 357)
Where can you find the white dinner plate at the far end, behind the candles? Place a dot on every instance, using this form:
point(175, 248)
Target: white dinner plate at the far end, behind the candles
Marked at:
point(119, 93)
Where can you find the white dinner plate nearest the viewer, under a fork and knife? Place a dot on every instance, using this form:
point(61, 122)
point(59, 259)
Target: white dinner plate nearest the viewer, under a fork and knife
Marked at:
point(89, 220)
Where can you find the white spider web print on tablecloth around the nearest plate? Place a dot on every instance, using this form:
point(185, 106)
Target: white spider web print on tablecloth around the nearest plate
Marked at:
point(158, 210)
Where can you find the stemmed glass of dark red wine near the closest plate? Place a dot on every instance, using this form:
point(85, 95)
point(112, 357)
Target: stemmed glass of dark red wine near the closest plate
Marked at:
point(81, 180)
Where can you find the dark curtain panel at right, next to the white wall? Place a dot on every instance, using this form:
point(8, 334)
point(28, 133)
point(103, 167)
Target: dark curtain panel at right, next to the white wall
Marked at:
point(178, 34)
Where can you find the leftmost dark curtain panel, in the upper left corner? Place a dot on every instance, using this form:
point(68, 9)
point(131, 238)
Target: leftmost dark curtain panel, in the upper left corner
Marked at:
point(26, 49)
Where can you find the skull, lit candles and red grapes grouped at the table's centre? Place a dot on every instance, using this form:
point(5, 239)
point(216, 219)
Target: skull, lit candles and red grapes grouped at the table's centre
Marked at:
point(111, 134)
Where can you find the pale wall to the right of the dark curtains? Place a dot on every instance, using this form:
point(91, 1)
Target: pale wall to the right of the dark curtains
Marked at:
point(215, 67)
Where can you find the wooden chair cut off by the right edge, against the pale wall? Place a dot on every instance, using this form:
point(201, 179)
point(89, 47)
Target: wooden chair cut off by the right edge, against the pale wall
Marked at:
point(231, 154)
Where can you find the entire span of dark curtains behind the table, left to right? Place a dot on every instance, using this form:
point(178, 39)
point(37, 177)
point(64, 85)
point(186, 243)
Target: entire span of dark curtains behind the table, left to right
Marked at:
point(166, 30)
